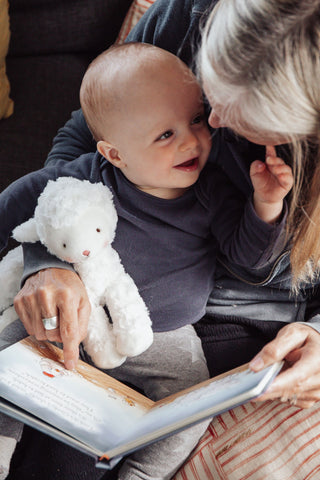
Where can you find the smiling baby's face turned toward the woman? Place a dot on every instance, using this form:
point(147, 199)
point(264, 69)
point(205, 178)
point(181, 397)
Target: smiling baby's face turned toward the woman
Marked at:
point(164, 140)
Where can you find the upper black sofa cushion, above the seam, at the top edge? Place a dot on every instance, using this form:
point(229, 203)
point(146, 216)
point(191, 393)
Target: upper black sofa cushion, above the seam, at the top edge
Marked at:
point(41, 27)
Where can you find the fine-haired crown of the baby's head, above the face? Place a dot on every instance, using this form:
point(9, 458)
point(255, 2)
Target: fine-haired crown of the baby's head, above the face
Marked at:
point(126, 74)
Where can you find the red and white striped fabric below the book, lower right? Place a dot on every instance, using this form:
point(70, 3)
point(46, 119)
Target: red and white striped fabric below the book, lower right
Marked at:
point(258, 441)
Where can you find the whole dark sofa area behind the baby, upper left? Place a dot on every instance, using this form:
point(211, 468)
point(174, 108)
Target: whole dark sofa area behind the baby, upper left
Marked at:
point(52, 42)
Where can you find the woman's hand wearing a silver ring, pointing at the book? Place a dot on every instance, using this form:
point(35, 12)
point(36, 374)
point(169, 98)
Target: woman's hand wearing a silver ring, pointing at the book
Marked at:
point(61, 293)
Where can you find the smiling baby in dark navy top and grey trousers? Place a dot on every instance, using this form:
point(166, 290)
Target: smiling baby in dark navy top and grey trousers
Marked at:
point(144, 108)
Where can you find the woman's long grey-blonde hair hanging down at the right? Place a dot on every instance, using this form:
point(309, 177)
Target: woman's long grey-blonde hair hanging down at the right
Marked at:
point(260, 61)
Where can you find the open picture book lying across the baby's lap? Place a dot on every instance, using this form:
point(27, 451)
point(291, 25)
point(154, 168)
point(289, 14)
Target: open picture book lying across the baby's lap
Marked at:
point(99, 415)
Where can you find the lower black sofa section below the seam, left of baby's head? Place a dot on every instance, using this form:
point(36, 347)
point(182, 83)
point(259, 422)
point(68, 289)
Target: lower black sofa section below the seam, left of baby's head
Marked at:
point(46, 90)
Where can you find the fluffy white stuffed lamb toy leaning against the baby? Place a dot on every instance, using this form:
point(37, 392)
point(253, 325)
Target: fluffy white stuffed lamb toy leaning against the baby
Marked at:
point(76, 220)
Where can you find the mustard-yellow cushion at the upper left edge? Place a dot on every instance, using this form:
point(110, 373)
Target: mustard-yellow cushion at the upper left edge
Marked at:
point(6, 104)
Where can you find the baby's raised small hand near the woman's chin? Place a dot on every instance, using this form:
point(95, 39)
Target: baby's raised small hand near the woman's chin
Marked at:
point(271, 181)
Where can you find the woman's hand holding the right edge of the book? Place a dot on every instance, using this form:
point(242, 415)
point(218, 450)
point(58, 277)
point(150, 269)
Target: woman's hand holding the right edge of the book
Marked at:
point(299, 381)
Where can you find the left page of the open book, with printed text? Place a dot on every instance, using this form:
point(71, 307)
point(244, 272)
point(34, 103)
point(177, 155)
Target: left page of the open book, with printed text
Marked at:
point(87, 404)
